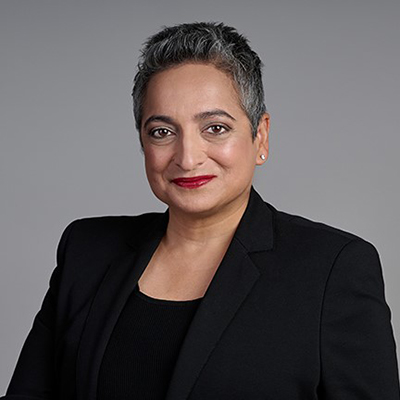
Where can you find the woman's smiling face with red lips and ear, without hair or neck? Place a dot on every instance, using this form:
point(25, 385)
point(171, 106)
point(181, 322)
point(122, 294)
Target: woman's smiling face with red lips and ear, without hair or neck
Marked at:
point(197, 141)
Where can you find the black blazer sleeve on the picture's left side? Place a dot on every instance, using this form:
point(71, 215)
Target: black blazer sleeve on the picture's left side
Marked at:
point(34, 376)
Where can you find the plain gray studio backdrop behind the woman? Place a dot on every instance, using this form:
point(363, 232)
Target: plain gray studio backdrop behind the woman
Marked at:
point(69, 148)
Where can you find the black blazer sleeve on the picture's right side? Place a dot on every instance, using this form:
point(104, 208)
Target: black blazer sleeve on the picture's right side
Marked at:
point(358, 351)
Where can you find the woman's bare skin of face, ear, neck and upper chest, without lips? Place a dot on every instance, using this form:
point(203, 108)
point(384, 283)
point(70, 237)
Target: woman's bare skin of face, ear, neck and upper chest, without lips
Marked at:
point(193, 125)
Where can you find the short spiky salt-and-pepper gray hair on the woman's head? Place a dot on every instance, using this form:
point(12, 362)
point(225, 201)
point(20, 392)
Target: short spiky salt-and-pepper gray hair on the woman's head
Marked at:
point(203, 42)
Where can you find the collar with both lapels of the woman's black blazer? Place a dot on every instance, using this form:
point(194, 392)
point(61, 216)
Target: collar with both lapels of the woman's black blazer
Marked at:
point(231, 284)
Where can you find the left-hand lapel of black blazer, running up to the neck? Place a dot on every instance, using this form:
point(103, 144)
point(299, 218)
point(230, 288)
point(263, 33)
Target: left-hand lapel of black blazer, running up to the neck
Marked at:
point(117, 285)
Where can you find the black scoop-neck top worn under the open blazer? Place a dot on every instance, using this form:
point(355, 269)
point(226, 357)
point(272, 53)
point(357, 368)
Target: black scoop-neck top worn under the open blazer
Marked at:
point(143, 348)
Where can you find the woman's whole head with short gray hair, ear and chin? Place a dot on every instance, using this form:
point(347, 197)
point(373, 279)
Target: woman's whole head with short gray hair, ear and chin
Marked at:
point(199, 110)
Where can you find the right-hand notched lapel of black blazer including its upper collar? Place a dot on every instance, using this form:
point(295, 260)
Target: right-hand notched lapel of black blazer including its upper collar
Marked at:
point(230, 286)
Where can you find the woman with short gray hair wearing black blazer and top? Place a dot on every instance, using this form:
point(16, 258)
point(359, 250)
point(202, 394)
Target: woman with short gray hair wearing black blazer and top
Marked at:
point(222, 296)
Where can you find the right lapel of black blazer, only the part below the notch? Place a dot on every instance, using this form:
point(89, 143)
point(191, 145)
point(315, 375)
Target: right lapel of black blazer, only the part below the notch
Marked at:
point(231, 283)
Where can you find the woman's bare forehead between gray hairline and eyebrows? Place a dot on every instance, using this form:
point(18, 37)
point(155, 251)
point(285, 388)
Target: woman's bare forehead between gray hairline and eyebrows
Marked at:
point(188, 89)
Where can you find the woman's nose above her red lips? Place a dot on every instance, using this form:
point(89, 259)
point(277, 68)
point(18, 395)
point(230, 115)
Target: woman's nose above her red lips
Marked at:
point(190, 152)
